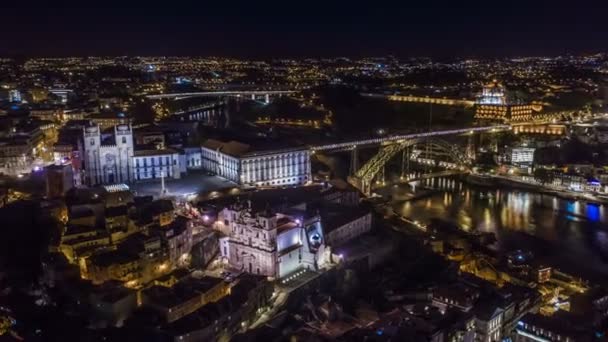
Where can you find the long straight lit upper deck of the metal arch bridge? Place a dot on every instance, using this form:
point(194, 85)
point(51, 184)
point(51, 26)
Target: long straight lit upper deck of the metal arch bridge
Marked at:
point(399, 138)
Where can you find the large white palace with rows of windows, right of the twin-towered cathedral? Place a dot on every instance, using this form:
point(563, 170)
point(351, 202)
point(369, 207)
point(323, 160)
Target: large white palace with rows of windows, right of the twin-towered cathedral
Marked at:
point(242, 165)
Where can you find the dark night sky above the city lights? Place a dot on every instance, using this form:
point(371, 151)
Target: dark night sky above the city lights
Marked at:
point(295, 28)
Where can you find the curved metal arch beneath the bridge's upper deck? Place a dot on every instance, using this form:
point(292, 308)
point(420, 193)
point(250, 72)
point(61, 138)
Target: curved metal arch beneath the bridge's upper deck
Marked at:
point(363, 178)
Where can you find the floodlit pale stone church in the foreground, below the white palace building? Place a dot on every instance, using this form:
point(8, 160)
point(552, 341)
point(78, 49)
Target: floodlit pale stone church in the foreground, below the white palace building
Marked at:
point(270, 244)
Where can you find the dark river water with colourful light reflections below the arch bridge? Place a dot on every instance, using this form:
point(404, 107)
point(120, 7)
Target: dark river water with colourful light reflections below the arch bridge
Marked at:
point(570, 235)
